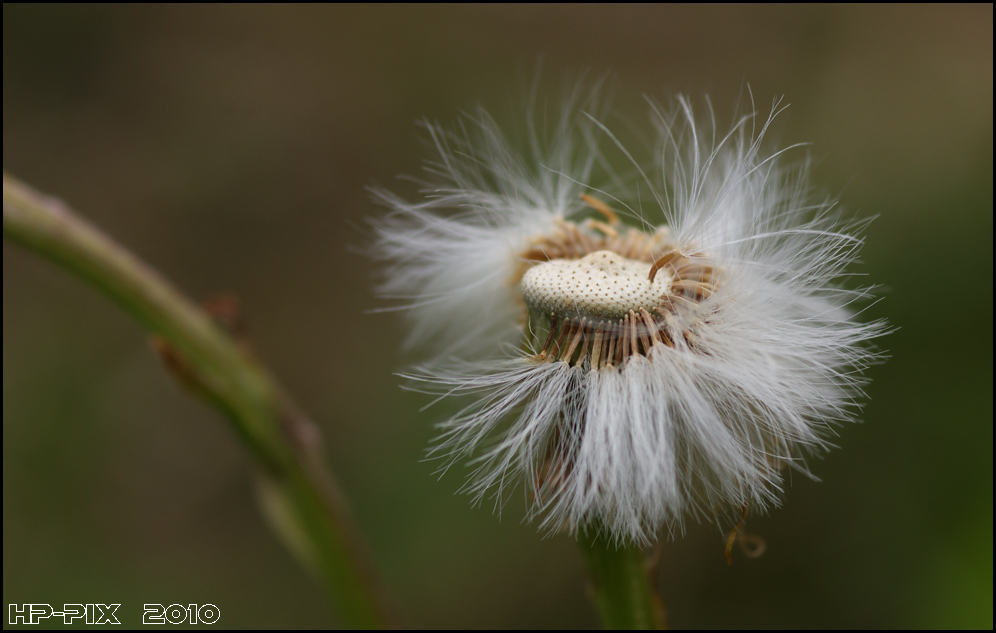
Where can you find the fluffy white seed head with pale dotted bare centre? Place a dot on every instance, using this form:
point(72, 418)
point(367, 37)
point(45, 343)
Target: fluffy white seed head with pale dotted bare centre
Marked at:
point(629, 376)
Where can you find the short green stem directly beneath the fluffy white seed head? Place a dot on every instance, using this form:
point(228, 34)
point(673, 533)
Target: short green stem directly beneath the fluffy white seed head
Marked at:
point(622, 587)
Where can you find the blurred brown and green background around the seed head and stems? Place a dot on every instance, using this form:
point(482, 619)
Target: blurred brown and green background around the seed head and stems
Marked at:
point(231, 146)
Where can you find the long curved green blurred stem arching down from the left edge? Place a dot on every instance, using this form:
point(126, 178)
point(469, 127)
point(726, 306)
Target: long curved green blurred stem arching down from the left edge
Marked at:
point(311, 512)
